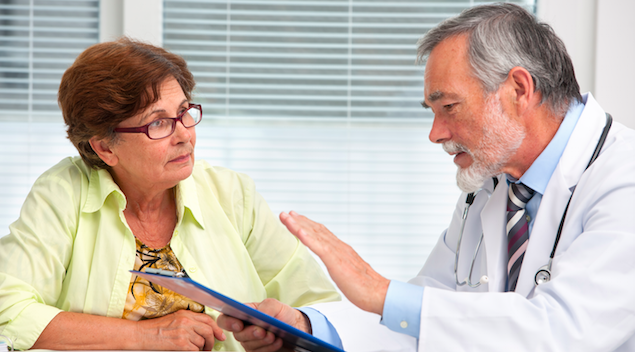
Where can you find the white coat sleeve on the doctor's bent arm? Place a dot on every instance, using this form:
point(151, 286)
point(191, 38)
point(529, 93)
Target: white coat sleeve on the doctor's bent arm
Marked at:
point(588, 304)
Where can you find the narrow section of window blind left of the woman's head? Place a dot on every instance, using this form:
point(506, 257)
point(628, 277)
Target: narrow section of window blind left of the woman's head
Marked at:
point(39, 39)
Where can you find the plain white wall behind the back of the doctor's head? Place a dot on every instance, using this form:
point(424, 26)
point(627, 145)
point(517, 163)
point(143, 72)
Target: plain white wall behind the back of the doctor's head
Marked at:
point(600, 37)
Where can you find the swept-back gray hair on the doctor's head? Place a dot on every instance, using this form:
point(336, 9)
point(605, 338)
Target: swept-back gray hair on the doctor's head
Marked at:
point(502, 36)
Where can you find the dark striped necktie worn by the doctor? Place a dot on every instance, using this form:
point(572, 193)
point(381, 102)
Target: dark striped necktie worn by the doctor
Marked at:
point(517, 230)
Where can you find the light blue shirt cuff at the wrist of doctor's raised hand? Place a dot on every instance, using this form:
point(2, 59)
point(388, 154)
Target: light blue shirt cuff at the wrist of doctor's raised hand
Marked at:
point(402, 308)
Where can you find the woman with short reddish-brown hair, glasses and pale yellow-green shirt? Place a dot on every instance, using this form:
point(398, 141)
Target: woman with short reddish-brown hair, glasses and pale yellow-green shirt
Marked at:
point(137, 199)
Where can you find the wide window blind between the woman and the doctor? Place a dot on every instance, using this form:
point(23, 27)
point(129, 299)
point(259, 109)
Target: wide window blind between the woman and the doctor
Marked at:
point(319, 101)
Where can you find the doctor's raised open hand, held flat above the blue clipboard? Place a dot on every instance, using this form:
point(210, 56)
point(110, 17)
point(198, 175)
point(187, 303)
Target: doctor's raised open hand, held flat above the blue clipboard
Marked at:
point(362, 285)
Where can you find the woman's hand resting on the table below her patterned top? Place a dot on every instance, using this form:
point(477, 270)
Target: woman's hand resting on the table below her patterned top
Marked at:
point(182, 330)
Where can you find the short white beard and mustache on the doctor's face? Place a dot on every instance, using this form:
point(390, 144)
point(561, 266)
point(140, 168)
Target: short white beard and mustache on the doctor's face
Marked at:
point(501, 137)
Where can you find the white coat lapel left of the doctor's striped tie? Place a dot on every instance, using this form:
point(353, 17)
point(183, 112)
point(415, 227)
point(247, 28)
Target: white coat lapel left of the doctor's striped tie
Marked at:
point(495, 239)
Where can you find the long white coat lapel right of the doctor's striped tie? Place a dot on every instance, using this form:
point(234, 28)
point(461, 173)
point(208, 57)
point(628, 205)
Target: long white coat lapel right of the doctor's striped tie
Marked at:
point(566, 175)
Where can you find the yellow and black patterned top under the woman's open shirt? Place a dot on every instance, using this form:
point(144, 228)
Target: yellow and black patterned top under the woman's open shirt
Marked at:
point(146, 300)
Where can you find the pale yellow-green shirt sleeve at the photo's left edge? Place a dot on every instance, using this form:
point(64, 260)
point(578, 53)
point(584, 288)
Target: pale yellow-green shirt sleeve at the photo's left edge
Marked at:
point(35, 255)
